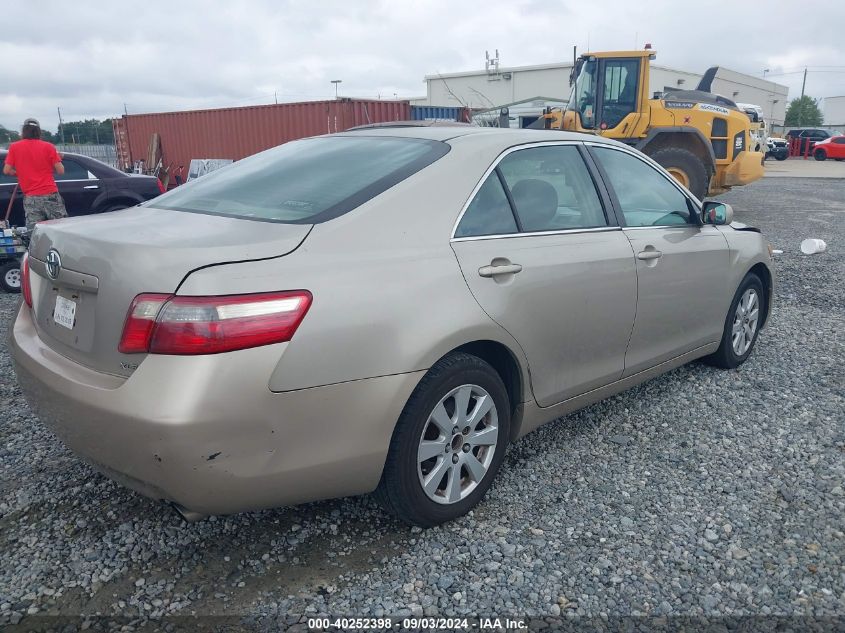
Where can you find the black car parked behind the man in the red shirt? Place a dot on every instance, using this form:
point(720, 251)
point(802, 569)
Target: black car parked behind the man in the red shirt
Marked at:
point(87, 186)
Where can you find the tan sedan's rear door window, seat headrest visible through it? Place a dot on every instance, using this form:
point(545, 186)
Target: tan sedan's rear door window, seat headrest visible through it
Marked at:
point(552, 189)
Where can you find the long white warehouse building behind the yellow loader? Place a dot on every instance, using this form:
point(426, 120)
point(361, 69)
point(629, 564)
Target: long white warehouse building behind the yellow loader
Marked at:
point(548, 84)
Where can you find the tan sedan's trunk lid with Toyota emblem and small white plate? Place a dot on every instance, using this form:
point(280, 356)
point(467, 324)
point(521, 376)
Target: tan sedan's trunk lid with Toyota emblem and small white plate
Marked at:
point(107, 260)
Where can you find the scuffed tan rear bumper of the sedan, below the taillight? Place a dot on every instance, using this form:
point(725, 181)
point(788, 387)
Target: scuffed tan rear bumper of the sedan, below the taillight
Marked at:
point(207, 433)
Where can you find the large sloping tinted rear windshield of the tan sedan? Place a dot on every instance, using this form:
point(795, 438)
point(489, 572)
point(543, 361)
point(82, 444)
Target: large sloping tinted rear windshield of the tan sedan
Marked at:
point(306, 181)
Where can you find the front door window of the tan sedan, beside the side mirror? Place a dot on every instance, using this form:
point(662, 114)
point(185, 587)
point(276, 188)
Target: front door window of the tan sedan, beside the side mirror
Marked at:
point(646, 197)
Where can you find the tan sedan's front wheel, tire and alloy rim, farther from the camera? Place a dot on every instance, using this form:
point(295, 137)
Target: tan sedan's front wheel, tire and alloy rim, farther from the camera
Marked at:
point(742, 324)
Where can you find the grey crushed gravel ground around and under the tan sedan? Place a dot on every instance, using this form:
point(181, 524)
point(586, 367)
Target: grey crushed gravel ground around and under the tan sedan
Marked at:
point(703, 492)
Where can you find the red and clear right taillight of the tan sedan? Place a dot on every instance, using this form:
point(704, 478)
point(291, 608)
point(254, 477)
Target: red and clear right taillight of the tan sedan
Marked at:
point(165, 324)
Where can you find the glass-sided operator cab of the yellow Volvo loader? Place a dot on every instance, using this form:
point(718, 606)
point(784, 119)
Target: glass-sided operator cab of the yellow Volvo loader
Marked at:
point(608, 93)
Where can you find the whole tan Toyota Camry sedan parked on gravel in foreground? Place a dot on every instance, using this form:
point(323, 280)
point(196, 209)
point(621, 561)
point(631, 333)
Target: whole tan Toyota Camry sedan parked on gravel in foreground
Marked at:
point(384, 309)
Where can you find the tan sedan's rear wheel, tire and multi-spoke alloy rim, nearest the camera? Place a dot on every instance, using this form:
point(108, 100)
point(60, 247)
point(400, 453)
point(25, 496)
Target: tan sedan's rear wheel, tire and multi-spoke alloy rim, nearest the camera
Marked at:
point(448, 444)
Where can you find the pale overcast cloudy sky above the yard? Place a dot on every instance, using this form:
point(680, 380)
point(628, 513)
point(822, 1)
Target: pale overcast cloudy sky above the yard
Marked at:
point(91, 58)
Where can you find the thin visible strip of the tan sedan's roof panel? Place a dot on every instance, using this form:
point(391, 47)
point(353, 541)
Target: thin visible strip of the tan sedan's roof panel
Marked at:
point(504, 136)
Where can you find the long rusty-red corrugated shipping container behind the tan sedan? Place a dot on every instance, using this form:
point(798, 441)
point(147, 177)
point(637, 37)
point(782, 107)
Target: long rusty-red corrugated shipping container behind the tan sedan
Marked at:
point(240, 132)
